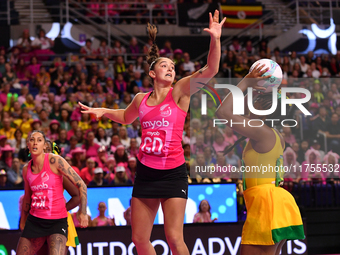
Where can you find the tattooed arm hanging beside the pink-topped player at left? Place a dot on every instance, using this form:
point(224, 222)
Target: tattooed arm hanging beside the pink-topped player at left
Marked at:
point(61, 165)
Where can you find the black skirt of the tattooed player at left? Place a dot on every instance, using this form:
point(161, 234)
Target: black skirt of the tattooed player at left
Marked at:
point(37, 227)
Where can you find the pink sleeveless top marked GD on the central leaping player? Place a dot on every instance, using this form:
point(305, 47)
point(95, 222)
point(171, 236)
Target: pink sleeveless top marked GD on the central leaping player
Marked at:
point(162, 131)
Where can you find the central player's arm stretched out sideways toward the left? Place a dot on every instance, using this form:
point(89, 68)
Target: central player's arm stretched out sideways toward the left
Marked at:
point(122, 116)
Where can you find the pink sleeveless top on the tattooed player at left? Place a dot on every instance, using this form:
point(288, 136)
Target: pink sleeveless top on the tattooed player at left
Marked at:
point(47, 193)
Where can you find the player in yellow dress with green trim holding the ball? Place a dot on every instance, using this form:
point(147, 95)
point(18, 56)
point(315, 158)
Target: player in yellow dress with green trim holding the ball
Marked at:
point(272, 214)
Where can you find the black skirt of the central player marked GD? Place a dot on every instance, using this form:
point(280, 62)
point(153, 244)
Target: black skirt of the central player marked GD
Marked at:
point(155, 183)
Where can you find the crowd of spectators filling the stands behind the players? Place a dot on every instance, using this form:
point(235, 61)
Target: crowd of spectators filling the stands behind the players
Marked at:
point(36, 96)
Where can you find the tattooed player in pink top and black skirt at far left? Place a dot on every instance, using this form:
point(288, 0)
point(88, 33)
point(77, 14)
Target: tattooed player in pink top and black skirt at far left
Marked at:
point(44, 215)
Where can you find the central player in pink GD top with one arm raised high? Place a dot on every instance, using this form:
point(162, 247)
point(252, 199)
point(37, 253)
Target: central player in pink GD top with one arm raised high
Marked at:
point(161, 176)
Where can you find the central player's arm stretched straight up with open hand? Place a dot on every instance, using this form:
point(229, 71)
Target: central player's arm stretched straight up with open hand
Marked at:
point(182, 87)
